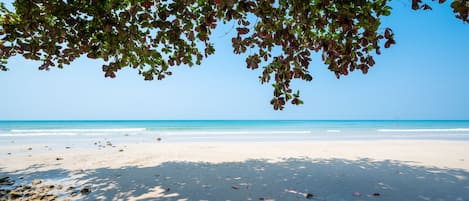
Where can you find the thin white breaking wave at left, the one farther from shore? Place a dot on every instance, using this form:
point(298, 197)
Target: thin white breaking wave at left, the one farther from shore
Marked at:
point(99, 130)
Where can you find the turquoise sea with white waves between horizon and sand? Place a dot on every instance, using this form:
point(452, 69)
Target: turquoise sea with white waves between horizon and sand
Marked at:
point(141, 131)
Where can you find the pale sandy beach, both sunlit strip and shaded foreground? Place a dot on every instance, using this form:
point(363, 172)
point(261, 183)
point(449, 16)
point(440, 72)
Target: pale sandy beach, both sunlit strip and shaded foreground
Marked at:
point(323, 170)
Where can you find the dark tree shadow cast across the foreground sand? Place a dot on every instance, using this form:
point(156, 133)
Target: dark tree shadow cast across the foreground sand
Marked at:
point(289, 179)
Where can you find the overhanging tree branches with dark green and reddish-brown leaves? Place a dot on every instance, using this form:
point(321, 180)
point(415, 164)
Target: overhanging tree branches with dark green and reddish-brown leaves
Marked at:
point(152, 36)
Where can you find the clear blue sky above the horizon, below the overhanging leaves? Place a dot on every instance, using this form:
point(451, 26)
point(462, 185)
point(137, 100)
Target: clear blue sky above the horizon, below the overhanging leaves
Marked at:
point(424, 76)
